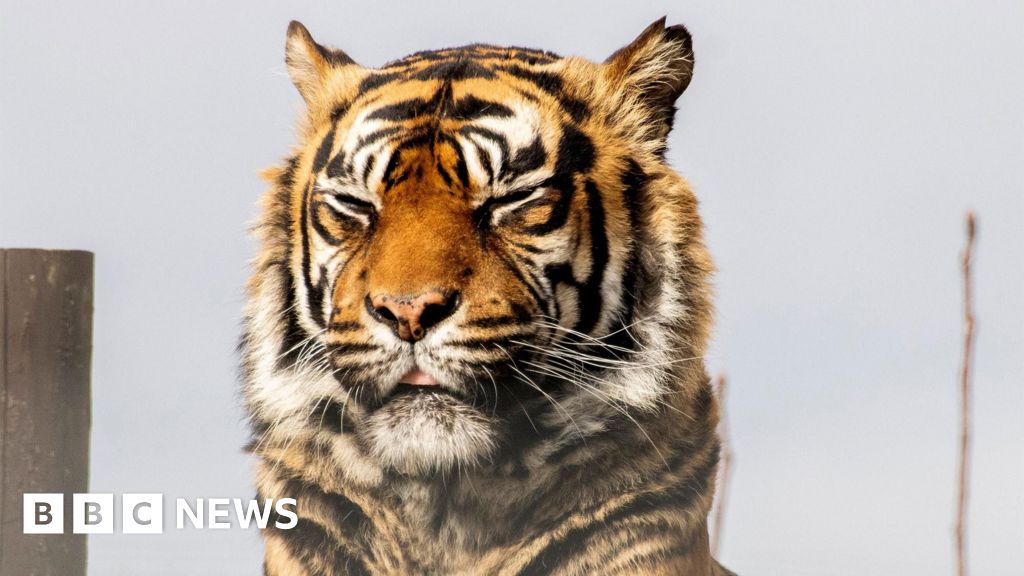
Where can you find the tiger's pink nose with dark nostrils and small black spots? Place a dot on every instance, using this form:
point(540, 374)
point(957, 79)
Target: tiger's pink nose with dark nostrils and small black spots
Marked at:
point(411, 317)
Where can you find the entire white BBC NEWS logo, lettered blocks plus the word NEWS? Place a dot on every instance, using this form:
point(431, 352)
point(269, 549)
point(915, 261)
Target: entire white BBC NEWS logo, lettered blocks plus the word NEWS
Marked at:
point(144, 514)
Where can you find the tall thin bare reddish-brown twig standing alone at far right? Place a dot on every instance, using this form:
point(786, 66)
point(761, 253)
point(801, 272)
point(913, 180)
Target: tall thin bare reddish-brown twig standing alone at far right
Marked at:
point(965, 445)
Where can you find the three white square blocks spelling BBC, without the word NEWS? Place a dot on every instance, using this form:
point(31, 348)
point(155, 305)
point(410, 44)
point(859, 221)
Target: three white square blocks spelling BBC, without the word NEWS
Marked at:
point(93, 514)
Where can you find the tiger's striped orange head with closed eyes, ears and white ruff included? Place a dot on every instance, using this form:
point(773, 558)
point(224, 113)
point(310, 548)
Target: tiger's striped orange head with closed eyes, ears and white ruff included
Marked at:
point(476, 250)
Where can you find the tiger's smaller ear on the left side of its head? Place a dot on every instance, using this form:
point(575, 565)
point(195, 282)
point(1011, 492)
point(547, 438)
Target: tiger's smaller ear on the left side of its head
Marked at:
point(311, 65)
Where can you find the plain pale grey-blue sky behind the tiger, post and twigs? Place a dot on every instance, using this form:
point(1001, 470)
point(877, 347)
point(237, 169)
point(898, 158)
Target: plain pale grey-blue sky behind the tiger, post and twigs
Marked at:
point(835, 147)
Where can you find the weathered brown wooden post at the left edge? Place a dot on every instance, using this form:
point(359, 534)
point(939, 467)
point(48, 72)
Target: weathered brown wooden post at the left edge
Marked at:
point(46, 353)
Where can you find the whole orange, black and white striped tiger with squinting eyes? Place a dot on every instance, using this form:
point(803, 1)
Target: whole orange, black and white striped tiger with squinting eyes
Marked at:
point(476, 326)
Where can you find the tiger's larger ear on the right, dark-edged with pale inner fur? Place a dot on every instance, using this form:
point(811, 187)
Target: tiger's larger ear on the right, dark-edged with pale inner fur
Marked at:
point(649, 75)
